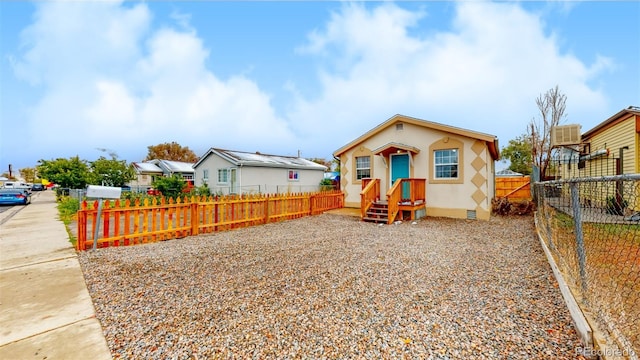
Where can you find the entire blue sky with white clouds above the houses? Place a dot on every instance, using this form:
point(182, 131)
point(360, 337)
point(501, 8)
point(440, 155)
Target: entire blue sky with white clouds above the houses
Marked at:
point(283, 77)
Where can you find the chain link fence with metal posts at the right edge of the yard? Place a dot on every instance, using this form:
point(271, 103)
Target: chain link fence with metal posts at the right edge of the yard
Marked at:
point(592, 228)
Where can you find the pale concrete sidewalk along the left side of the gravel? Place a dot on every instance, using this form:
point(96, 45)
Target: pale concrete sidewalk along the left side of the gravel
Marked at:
point(45, 308)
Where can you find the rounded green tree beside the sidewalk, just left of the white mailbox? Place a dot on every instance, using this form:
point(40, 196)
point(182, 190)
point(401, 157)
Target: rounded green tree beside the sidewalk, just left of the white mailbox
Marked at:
point(69, 173)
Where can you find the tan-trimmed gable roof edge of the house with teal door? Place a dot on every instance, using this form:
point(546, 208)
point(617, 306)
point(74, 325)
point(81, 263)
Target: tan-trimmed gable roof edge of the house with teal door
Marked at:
point(491, 140)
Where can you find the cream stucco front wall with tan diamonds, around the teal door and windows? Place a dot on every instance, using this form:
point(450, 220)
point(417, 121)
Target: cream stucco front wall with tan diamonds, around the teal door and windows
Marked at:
point(473, 191)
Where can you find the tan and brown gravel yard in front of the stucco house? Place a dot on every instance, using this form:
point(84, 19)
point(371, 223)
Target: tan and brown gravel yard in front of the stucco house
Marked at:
point(331, 286)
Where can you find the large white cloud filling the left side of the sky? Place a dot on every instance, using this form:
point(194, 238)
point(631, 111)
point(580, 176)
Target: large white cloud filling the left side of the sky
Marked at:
point(114, 83)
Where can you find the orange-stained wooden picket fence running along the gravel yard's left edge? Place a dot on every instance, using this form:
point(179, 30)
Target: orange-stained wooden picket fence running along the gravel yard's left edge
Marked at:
point(123, 223)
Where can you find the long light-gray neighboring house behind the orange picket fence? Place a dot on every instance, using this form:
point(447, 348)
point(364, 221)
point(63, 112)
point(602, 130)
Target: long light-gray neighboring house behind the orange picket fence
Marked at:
point(238, 172)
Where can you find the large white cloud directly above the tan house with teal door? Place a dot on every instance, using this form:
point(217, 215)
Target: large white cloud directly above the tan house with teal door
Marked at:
point(484, 74)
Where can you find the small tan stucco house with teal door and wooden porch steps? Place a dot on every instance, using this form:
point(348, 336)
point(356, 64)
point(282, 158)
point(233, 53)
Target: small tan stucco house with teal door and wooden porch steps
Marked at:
point(453, 169)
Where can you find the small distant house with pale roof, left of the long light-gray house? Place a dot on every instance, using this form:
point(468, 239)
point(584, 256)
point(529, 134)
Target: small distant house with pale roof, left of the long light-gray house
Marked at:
point(148, 171)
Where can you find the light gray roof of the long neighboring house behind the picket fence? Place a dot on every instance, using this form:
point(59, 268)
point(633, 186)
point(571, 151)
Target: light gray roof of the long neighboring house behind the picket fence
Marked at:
point(241, 158)
